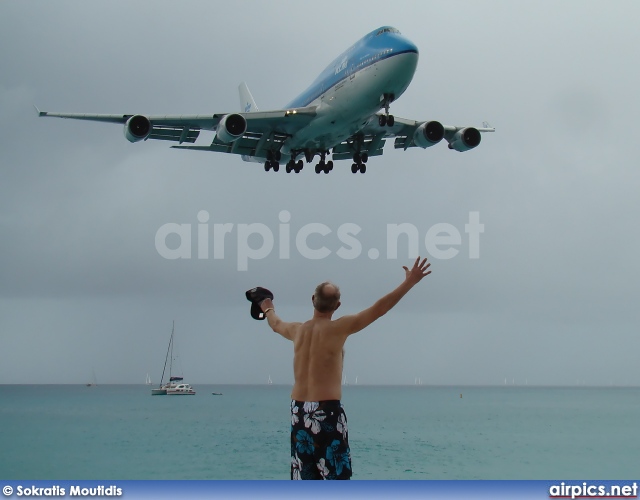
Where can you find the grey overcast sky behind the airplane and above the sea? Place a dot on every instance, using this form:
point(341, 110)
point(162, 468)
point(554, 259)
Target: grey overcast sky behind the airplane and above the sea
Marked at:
point(552, 298)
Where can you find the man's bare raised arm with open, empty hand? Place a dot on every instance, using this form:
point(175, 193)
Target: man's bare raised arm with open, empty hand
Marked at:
point(355, 323)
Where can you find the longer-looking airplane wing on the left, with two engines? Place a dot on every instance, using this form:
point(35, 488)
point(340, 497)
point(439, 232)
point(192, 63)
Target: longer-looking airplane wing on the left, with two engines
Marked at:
point(250, 134)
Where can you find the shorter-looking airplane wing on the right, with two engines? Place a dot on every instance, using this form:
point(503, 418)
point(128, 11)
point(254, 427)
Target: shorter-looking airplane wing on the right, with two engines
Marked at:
point(408, 134)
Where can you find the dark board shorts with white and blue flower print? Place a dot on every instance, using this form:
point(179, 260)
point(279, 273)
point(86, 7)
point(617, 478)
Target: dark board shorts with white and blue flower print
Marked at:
point(319, 441)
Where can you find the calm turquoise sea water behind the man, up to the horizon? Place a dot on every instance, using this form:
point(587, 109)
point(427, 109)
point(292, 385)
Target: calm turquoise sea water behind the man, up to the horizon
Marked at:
point(410, 432)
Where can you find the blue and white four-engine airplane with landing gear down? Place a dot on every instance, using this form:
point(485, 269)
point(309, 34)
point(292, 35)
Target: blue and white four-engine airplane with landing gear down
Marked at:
point(343, 114)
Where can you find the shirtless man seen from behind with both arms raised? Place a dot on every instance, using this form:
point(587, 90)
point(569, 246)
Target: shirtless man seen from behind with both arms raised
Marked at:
point(319, 440)
